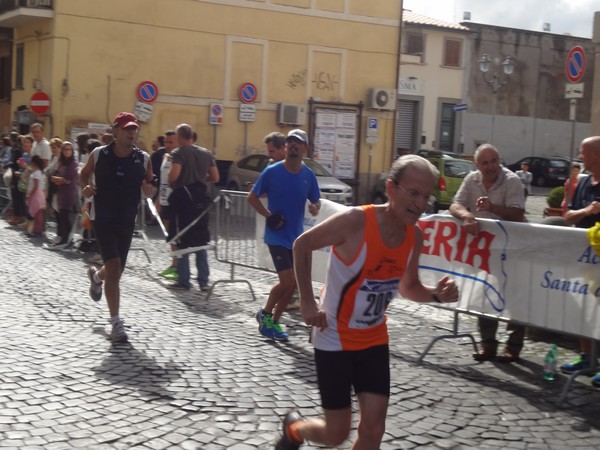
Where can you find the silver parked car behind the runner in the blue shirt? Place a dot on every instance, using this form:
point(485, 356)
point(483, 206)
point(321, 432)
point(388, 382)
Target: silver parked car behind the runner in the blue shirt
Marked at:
point(244, 173)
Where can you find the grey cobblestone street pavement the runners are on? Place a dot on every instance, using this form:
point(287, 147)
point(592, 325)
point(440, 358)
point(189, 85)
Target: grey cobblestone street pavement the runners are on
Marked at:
point(197, 375)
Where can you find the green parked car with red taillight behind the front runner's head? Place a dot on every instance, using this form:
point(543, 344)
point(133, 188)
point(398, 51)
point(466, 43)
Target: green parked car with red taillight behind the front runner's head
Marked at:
point(452, 171)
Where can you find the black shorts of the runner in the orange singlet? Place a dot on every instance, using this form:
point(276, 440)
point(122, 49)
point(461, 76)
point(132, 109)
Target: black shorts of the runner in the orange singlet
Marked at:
point(366, 370)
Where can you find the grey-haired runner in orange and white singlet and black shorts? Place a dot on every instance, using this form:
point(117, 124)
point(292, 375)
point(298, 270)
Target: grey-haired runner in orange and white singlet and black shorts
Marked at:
point(375, 254)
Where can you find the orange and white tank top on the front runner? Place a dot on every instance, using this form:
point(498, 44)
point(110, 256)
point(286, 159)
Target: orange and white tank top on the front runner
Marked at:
point(356, 294)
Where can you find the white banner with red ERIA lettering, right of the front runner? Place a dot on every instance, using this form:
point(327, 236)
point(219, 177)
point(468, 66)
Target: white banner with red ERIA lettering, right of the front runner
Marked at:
point(536, 274)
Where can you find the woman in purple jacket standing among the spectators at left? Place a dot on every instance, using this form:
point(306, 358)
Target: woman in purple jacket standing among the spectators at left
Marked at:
point(65, 179)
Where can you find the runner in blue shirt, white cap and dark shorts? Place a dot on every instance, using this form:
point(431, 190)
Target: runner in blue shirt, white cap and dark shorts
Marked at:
point(287, 184)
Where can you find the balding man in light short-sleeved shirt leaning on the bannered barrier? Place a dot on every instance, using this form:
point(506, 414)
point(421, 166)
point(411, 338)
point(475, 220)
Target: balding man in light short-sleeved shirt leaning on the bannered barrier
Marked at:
point(491, 192)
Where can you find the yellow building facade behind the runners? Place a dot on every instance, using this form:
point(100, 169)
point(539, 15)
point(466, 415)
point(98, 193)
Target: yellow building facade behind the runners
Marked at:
point(90, 58)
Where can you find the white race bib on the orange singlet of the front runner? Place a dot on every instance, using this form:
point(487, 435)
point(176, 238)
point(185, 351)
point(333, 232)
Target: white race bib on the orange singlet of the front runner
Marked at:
point(372, 299)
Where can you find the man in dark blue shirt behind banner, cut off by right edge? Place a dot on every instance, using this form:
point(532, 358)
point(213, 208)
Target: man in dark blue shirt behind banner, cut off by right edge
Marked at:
point(584, 212)
